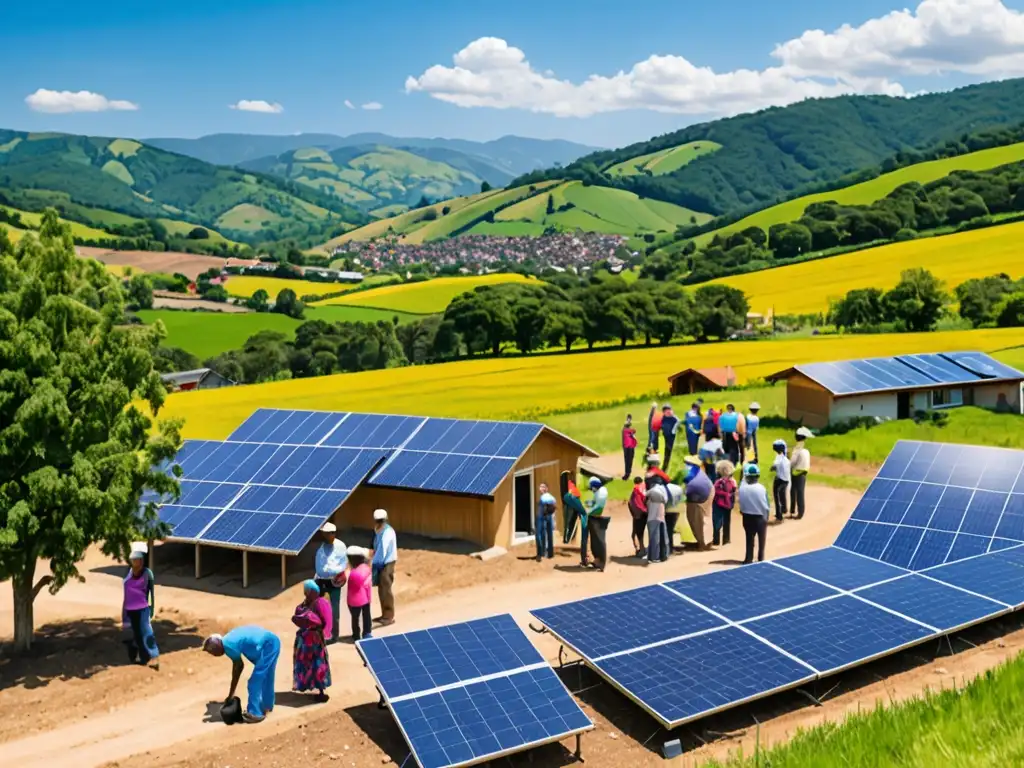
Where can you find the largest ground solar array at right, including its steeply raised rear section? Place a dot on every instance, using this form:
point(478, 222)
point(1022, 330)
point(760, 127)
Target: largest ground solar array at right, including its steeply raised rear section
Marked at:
point(903, 572)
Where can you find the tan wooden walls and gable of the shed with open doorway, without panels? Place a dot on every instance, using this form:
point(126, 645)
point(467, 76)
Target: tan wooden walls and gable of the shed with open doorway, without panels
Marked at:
point(504, 520)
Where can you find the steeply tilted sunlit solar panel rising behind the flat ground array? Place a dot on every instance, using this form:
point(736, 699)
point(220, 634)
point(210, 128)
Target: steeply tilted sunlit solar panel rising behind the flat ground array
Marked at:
point(935, 503)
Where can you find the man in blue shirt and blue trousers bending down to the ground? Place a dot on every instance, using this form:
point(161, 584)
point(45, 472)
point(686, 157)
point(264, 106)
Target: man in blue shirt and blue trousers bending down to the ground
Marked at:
point(263, 649)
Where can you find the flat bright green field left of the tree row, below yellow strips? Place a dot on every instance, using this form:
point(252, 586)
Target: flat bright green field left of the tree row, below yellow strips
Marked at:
point(209, 334)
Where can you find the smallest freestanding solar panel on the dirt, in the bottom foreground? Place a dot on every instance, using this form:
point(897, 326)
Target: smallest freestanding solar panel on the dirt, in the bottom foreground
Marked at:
point(471, 693)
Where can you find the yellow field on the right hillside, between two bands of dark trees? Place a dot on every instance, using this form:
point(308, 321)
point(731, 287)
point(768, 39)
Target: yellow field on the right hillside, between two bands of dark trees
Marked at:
point(807, 287)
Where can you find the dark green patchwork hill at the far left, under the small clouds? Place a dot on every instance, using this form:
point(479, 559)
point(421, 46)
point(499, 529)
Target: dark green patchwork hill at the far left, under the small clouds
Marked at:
point(106, 183)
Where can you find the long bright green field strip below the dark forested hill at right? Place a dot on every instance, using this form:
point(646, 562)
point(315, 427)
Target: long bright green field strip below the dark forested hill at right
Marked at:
point(869, 192)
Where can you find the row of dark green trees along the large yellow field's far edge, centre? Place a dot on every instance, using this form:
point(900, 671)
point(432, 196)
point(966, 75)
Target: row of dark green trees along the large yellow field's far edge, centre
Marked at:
point(490, 320)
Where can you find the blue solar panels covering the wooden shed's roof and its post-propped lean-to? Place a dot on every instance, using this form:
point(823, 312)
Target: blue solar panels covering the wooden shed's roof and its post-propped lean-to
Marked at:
point(282, 474)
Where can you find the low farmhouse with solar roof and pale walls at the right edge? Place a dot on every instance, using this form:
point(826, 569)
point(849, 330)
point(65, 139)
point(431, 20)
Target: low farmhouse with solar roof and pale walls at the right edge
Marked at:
point(824, 394)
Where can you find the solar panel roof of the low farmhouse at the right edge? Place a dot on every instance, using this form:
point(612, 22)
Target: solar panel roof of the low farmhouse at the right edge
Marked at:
point(908, 371)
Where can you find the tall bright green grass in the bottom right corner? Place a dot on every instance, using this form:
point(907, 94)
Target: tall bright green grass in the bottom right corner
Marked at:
point(970, 727)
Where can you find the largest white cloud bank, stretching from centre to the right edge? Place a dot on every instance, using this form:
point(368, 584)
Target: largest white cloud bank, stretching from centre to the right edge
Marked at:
point(976, 37)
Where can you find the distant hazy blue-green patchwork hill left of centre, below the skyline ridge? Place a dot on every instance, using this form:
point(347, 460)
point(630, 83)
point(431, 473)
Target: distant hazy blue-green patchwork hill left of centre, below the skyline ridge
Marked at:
point(376, 177)
